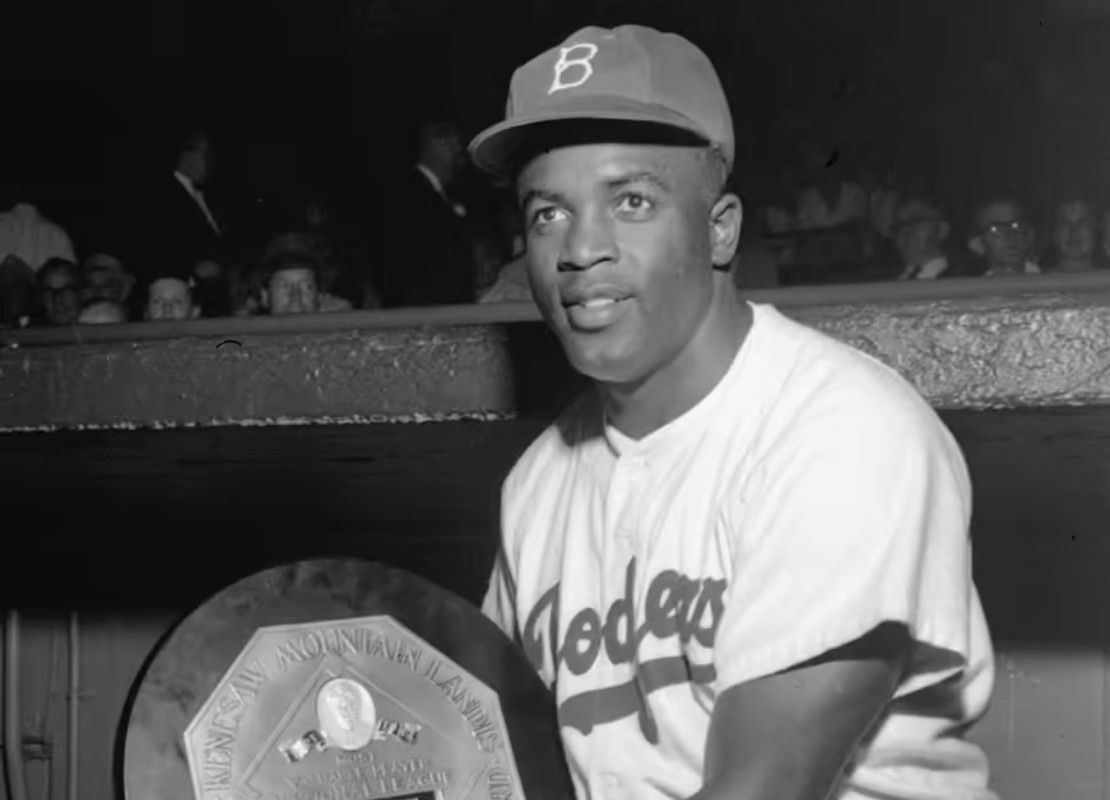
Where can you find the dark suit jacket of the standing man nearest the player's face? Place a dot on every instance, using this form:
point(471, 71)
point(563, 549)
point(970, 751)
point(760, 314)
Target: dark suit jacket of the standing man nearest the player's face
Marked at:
point(423, 251)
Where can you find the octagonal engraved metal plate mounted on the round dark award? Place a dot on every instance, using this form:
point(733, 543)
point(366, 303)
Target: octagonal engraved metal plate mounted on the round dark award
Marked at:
point(350, 710)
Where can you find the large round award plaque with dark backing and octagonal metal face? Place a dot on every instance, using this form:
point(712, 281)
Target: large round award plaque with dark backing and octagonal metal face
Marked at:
point(341, 681)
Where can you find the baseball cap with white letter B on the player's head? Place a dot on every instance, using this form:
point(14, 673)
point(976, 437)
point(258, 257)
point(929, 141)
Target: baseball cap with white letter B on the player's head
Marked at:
point(630, 74)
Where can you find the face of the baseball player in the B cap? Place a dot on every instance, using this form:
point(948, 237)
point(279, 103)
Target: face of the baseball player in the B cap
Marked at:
point(620, 258)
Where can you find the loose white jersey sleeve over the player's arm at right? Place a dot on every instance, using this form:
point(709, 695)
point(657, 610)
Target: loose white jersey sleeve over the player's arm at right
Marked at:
point(854, 520)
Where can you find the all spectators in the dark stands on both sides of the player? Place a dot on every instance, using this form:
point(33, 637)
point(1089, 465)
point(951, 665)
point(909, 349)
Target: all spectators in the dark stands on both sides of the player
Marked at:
point(437, 238)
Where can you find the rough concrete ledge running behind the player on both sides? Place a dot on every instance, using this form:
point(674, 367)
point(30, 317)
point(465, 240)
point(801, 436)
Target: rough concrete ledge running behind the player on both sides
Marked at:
point(1004, 343)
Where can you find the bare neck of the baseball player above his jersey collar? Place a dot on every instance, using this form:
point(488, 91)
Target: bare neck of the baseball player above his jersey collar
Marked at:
point(640, 409)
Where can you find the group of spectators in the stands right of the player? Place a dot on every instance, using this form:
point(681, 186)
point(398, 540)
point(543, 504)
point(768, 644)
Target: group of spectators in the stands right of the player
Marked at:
point(841, 225)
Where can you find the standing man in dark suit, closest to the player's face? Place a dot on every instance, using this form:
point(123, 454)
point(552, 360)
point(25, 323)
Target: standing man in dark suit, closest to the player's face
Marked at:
point(425, 254)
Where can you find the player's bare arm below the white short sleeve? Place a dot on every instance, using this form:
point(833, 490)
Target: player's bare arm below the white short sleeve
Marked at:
point(790, 736)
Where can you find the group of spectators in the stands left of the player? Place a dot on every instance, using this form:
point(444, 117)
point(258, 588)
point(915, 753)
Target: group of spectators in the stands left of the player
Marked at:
point(423, 239)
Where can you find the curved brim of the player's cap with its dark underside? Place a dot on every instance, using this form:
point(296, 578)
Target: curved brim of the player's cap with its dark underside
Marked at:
point(503, 148)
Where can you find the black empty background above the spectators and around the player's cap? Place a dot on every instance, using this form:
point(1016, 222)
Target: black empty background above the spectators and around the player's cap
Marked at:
point(973, 96)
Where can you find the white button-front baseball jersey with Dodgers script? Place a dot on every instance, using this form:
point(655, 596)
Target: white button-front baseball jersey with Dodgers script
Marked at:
point(812, 495)
